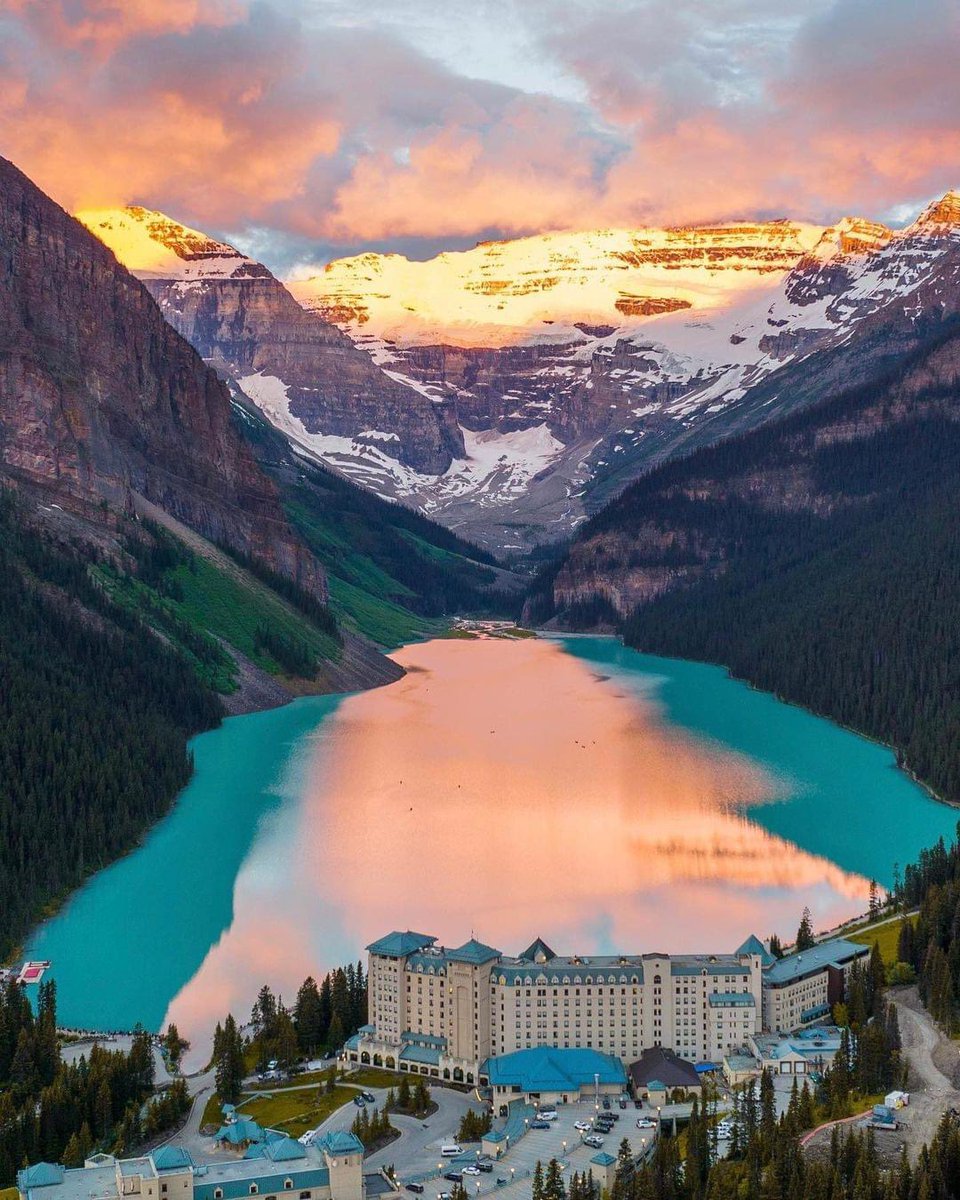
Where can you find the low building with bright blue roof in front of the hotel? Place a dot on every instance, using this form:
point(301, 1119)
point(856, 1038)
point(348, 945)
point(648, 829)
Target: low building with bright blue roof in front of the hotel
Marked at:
point(547, 1075)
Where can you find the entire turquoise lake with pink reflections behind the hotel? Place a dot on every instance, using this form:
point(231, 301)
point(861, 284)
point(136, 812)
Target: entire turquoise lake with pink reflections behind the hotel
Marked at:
point(569, 789)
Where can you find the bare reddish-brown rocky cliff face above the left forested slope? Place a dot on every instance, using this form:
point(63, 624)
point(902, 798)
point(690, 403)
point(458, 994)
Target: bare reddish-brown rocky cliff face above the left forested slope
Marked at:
point(100, 398)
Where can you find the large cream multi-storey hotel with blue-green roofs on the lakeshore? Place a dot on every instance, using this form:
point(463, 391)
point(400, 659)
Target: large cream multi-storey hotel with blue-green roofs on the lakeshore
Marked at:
point(443, 1012)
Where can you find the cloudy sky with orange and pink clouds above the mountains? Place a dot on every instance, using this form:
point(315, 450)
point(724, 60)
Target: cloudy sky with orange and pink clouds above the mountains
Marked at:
point(309, 129)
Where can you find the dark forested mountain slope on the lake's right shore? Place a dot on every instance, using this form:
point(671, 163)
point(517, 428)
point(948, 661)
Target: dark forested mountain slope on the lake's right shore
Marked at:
point(818, 557)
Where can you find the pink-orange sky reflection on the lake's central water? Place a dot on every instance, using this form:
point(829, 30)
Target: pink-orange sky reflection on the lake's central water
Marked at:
point(503, 789)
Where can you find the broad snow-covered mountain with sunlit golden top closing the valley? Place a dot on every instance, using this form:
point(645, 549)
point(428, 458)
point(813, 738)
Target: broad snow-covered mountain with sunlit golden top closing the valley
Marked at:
point(578, 362)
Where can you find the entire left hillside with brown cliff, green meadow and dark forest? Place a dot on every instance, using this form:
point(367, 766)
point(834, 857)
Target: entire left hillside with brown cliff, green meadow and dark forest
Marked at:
point(153, 573)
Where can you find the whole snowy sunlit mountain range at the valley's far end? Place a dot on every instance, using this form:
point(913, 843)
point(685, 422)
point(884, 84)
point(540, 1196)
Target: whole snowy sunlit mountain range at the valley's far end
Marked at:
point(511, 389)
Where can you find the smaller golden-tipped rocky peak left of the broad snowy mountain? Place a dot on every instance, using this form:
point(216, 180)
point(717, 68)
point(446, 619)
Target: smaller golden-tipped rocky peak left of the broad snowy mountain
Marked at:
point(305, 375)
